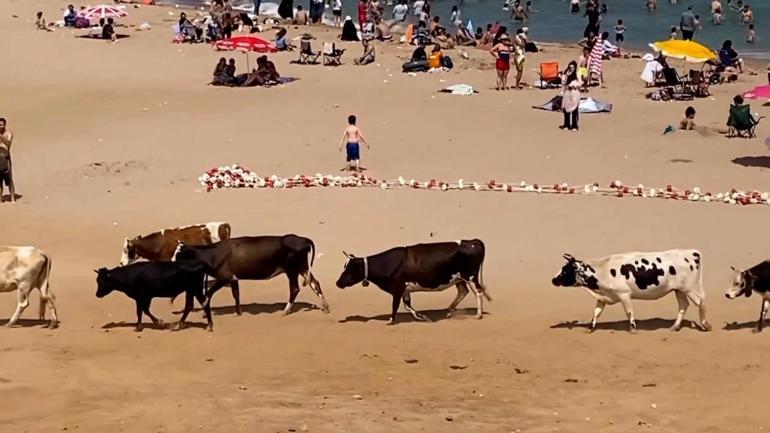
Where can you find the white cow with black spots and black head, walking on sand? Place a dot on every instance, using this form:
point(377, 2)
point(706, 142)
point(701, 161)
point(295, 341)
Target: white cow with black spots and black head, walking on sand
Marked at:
point(638, 275)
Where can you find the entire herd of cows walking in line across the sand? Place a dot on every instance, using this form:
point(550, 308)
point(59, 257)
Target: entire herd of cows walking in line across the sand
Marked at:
point(183, 260)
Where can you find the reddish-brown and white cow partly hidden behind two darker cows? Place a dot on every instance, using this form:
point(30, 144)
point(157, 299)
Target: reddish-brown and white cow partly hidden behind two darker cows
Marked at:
point(160, 245)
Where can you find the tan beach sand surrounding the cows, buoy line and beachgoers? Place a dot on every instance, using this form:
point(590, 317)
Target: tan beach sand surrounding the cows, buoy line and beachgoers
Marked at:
point(73, 103)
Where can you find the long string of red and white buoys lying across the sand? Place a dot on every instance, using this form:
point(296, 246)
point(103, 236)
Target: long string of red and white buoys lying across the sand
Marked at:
point(235, 176)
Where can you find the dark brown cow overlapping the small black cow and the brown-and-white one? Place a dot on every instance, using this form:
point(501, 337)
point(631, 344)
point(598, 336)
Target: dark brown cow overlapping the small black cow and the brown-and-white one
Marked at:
point(257, 258)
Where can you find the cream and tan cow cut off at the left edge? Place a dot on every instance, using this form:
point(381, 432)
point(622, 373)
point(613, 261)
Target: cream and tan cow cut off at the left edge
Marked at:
point(25, 269)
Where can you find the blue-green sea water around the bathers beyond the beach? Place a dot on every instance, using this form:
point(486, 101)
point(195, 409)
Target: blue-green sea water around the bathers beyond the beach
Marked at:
point(553, 21)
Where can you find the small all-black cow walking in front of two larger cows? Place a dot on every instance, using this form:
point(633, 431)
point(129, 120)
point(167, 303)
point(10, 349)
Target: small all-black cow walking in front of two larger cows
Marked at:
point(147, 280)
